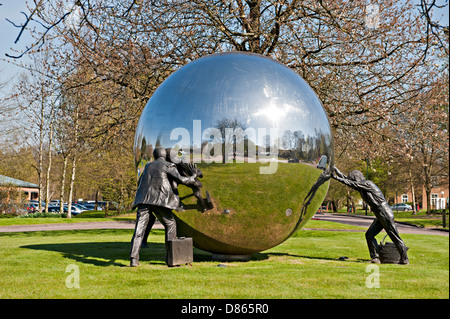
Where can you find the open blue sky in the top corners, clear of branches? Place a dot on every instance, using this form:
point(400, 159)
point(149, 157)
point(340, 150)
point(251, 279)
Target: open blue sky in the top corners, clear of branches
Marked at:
point(8, 33)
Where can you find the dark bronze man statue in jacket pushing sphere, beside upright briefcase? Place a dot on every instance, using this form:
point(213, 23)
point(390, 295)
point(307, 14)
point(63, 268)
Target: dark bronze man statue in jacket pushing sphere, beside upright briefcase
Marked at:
point(155, 195)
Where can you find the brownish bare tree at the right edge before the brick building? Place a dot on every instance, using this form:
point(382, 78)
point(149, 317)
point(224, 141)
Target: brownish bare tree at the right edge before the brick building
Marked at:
point(423, 140)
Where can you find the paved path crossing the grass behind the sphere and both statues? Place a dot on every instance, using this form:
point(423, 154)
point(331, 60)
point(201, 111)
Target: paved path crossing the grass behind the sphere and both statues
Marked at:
point(356, 220)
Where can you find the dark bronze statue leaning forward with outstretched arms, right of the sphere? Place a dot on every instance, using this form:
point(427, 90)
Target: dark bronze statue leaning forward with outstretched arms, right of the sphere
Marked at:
point(373, 197)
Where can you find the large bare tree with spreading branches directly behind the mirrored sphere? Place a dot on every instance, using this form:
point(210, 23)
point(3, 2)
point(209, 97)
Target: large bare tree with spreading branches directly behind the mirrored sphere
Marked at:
point(363, 71)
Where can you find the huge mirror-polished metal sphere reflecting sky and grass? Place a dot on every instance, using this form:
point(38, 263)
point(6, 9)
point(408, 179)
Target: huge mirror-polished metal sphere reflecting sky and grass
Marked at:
point(261, 139)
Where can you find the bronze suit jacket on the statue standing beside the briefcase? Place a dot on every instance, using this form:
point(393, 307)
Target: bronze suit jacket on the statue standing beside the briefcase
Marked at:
point(154, 186)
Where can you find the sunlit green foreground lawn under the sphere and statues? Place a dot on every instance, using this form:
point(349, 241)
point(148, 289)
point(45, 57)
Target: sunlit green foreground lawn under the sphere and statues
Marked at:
point(33, 265)
